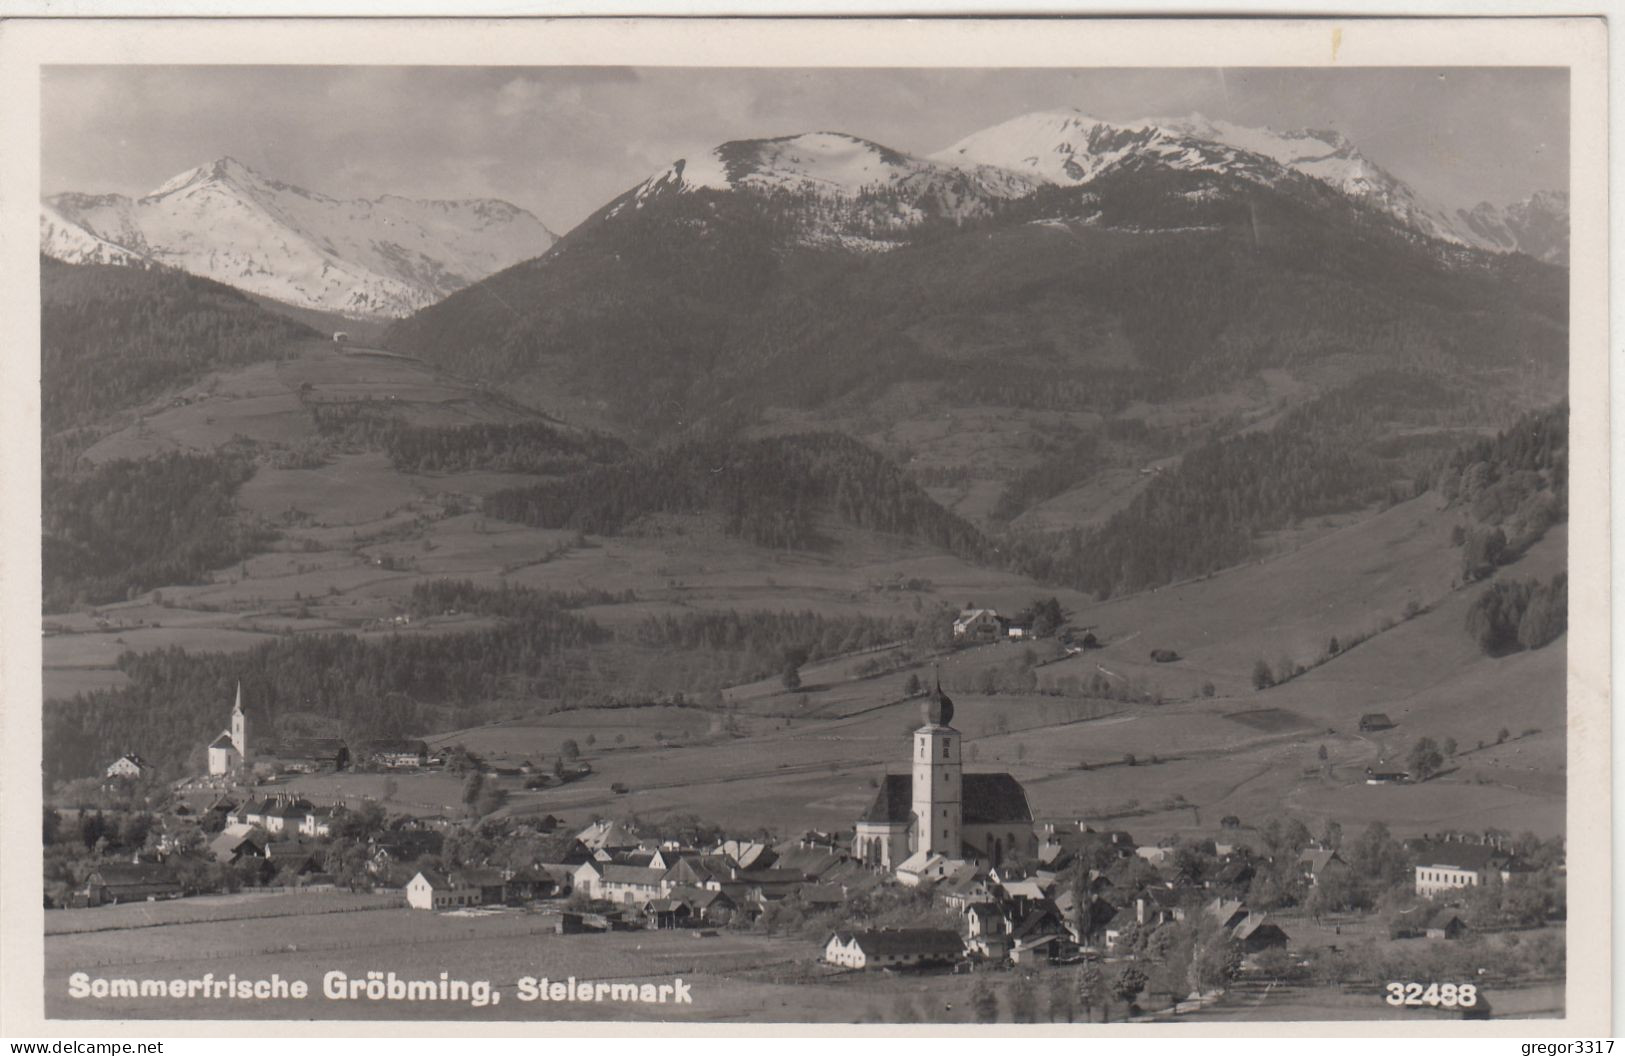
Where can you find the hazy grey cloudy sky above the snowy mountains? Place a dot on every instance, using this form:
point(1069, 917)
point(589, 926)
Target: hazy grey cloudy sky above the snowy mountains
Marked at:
point(565, 141)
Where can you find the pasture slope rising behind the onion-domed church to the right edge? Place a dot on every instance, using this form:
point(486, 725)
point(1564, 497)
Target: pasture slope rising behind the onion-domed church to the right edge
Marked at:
point(810, 758)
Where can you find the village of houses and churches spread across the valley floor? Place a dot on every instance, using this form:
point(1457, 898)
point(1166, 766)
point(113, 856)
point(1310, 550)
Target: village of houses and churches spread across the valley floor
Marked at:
point(947, 872)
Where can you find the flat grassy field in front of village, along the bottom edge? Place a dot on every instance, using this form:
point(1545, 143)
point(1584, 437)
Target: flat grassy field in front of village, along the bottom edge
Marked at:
point(734, 977)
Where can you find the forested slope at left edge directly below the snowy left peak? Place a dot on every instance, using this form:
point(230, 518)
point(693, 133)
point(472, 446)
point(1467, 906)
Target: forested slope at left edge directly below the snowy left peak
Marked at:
point(116, 337)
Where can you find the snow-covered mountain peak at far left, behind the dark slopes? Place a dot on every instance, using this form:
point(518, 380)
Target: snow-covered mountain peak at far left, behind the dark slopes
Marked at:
point(363, 258)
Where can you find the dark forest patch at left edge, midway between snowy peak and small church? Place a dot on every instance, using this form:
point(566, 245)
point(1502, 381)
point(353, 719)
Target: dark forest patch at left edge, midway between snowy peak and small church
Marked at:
point(129, 526)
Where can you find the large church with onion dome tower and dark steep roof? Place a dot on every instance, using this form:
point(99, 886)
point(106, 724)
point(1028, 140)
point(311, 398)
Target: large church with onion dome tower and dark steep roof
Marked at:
point(940, 811)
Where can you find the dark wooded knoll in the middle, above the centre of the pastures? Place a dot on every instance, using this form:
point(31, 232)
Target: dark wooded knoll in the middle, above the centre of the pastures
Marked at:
point(768, 491)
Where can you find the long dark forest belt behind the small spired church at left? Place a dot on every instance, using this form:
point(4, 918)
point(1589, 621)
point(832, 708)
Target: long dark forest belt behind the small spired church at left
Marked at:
point(540, 657)
